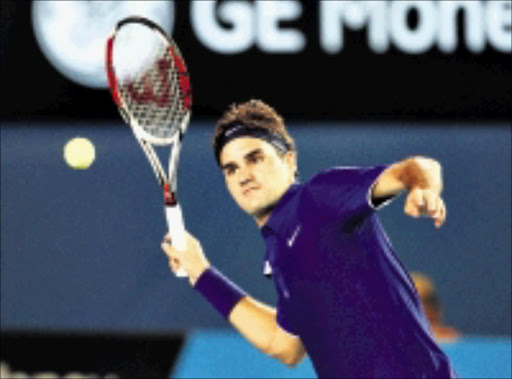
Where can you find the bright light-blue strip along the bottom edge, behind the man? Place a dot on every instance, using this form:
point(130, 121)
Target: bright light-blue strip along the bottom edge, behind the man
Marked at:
point(472, 357)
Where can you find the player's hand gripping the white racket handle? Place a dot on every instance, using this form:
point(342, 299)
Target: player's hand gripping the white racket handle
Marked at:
point(192, 259)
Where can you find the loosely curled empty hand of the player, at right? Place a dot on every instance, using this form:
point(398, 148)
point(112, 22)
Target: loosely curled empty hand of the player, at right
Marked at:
point(426, 202)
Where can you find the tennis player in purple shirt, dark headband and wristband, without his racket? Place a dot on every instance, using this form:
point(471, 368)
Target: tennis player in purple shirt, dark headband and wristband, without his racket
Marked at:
point(343, 296)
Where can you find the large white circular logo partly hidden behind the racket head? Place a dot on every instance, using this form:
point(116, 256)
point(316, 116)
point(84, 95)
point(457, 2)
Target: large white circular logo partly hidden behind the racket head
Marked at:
point(73, 34)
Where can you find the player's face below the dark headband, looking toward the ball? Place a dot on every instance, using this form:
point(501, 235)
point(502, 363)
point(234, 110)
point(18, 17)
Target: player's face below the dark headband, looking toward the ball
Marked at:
point(256, 175)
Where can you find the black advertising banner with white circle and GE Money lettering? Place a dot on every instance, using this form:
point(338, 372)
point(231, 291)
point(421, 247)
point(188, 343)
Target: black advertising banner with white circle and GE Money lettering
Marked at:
point(341, 60)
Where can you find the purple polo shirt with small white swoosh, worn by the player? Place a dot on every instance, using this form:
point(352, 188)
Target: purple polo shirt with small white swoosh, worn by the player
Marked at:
point(341, 287)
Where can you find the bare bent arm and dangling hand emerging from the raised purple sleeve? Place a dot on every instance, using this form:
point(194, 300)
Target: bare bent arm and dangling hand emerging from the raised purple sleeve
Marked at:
point(422, 178)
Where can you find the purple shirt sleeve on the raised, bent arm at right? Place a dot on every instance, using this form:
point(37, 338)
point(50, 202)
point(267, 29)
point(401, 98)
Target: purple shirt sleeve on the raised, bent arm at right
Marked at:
point(345, 192)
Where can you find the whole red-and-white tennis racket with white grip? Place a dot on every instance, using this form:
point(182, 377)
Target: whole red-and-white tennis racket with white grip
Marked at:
point(150, 85)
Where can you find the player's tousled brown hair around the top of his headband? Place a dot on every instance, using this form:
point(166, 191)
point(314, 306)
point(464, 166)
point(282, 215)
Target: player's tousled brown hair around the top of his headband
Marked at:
point(252, 114)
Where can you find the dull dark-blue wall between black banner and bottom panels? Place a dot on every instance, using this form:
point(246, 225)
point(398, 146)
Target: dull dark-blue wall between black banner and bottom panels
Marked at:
point(80, 249)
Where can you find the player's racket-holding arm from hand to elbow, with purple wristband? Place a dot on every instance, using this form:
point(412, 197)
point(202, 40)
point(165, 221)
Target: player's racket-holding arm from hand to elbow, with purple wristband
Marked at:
point(254, 320)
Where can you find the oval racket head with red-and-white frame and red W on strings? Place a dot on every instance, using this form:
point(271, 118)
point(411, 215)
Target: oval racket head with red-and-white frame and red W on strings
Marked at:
point(149, 80)
